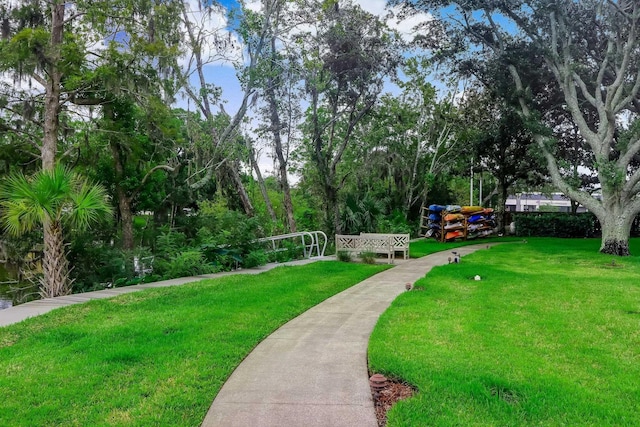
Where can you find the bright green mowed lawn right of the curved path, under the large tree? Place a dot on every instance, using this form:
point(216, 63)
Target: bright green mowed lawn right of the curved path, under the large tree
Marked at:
point(549, 337)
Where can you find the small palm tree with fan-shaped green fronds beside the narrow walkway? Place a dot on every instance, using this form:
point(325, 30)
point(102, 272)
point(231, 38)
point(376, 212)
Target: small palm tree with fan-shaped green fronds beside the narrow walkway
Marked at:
point(54, 199)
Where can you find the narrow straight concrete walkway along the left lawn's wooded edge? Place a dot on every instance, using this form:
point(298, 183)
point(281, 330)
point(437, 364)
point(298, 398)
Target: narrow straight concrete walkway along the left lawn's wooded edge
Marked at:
point(21, 312)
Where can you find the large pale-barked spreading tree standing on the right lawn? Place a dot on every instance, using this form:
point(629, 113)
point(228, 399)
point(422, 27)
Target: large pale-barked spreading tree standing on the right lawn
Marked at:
point(589, 52)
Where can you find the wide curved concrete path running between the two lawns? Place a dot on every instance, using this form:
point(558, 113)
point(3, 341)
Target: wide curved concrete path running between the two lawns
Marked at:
point(313, 370)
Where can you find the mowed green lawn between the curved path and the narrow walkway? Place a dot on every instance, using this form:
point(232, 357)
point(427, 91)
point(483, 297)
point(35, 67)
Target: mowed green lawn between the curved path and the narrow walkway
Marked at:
point(156, 357)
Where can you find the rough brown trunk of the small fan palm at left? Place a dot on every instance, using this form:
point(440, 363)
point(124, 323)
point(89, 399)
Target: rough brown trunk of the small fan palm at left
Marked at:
point(55, 265)
